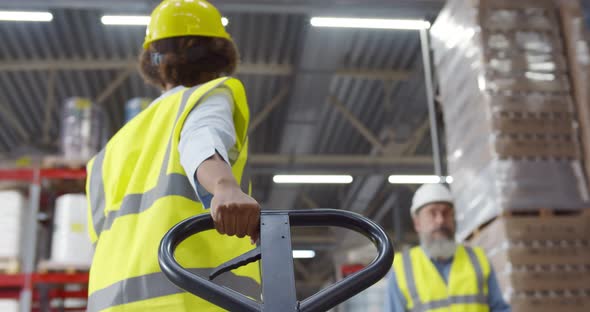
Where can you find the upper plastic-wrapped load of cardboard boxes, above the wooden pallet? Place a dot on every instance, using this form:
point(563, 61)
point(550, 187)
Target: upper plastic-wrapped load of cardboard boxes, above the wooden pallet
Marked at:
point(511, 123)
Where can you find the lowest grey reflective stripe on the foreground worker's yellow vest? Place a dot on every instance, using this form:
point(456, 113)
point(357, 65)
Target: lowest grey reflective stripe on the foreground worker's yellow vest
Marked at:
point(157, 285)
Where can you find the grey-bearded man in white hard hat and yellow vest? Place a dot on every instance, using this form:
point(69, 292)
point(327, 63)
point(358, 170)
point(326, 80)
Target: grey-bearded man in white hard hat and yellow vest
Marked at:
point(441, 275)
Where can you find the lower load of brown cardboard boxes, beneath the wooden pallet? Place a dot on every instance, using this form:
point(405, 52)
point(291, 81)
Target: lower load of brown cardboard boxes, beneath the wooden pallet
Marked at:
point(541, 262)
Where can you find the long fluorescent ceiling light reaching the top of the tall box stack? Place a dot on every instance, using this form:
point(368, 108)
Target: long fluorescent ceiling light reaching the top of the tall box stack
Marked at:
point(369, 23)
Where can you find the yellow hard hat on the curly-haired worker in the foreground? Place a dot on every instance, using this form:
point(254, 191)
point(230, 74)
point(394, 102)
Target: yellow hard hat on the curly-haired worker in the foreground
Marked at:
point(176, 18)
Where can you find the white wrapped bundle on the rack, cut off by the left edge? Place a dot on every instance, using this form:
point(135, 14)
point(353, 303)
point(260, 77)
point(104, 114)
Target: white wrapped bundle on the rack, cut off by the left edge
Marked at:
point(12, 206)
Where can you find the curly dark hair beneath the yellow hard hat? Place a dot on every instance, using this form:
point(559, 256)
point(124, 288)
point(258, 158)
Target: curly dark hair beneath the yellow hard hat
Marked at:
point(187, 61)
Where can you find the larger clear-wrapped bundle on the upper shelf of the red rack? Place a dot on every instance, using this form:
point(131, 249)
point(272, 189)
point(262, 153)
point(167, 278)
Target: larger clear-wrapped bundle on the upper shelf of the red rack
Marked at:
point(84, 129)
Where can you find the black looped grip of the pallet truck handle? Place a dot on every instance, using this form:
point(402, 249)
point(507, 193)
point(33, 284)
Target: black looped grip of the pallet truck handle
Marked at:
point(321, 301)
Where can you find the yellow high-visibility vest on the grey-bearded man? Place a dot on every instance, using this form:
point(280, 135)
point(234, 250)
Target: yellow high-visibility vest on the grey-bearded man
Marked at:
point(425, 290)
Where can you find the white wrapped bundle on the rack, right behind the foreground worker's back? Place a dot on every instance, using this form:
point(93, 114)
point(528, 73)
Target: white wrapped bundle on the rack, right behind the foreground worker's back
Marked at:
point(71, 244)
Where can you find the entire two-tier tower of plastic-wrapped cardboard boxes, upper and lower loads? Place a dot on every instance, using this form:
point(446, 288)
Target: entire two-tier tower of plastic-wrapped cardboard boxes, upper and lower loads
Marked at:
point(514, 147)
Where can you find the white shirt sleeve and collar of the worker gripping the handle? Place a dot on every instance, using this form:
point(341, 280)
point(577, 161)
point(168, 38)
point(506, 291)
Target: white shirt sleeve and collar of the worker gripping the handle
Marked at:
point(209, 128)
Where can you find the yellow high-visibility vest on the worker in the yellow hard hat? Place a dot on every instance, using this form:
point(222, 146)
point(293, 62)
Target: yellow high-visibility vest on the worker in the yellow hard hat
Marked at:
point(137, 190)
